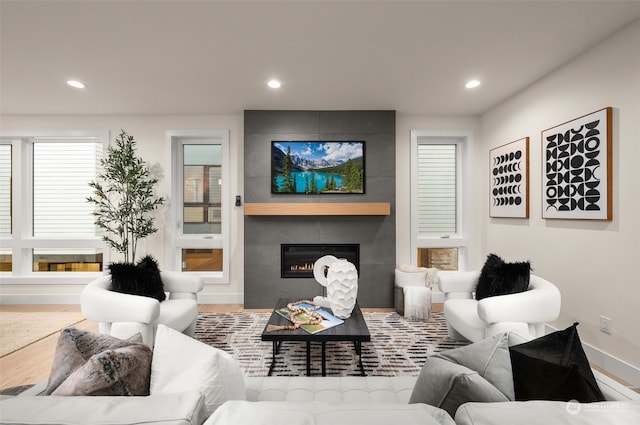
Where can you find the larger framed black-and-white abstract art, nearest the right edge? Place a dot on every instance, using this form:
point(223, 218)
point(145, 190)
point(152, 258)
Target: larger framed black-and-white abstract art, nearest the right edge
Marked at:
point(576, 175)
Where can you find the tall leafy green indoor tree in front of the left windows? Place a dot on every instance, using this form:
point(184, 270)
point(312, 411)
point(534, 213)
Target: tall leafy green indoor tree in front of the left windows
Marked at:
point(124, 198)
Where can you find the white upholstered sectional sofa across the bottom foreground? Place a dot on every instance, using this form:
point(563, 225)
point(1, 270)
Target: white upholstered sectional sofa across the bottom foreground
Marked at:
point(343, 400)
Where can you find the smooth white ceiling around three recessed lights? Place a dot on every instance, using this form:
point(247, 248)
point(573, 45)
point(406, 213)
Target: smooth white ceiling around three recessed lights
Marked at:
point(205, 57)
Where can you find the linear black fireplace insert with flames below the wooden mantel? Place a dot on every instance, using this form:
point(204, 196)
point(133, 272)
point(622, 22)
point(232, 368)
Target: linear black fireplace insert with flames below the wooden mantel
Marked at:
point(297, 260)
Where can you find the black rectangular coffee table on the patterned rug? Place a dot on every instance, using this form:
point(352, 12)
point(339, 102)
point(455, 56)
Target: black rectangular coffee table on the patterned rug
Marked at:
point(354, 329)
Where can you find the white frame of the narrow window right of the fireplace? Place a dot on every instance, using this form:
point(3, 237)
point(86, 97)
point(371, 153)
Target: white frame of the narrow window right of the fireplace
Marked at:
point(459, 239)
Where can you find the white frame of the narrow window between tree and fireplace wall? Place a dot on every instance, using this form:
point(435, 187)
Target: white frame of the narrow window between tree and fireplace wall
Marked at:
point(177, 241)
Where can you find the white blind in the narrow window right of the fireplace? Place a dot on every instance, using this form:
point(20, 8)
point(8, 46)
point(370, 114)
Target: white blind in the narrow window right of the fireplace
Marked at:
point(436, 191)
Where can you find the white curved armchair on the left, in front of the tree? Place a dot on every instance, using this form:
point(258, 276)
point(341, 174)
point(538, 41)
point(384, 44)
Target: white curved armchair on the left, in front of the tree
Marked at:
point(123, 315)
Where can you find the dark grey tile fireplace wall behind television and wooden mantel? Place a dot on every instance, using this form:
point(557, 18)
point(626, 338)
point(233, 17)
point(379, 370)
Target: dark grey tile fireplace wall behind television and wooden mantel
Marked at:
point(264, 234)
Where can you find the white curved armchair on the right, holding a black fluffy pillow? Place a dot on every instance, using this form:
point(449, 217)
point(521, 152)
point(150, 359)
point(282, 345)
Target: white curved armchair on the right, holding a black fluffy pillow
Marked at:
point(524, 313)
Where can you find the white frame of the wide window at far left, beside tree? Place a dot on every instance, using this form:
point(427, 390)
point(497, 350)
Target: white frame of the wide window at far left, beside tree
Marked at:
point(21, 241)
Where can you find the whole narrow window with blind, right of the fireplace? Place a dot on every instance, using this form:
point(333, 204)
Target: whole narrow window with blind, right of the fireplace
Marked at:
point(437, 199)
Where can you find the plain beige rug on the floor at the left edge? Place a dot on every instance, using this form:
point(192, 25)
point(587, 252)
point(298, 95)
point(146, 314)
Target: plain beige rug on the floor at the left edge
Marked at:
point(19, 329)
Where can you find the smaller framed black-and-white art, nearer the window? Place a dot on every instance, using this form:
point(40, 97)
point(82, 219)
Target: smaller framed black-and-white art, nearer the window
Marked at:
point(509, 165)
